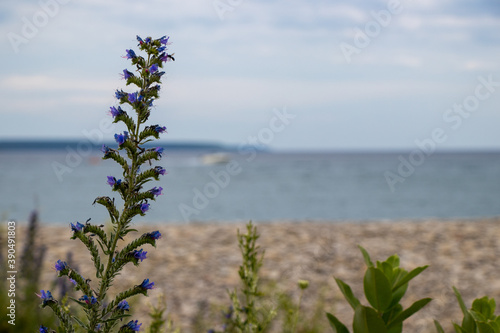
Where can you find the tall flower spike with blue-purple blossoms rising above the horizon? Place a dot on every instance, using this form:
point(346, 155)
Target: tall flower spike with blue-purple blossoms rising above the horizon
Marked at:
point(102, 312)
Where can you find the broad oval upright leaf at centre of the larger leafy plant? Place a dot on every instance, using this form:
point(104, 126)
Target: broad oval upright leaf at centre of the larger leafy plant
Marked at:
point(377, 289)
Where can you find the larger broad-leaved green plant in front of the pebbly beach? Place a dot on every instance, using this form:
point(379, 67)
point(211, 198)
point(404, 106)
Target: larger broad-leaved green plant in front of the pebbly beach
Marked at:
point(385, 284)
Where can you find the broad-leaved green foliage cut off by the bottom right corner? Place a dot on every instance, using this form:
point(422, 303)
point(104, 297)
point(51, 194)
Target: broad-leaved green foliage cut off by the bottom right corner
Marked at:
point(480, 318)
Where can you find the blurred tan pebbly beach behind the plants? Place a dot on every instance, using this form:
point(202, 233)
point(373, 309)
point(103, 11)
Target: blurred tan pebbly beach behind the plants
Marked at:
point(194, 264)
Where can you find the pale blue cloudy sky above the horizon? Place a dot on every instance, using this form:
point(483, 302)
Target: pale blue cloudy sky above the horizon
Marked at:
point(291, 75)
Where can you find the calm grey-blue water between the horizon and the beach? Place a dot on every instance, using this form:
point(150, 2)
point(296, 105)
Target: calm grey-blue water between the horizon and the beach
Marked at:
point(268, 187)
